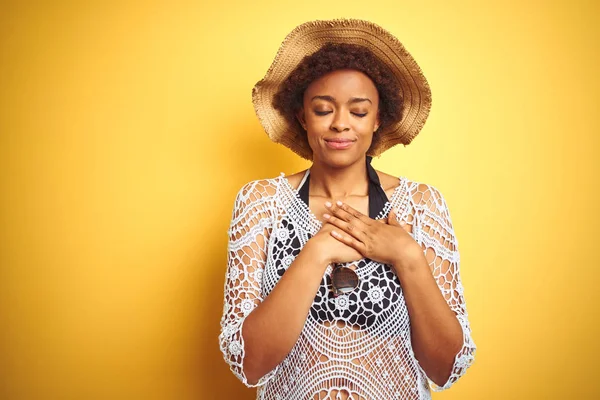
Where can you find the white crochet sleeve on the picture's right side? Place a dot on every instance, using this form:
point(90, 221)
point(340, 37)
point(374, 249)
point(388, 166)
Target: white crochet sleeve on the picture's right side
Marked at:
point(434, 231)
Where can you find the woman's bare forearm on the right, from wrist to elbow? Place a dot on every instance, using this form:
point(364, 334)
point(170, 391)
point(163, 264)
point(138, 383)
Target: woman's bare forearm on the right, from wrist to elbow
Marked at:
point(436, 333)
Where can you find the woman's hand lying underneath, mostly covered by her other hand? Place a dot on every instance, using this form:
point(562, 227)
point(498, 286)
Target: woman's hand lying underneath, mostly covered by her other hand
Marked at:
point(329, 250)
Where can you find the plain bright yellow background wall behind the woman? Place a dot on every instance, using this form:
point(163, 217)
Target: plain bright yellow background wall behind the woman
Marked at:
point(126, 128)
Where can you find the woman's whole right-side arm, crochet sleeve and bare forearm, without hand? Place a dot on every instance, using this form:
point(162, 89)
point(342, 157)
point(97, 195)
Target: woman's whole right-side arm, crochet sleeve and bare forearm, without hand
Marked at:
point(441, 336)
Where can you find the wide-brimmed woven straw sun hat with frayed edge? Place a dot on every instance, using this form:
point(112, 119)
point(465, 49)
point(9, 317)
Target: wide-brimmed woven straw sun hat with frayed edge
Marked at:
point(309, 37)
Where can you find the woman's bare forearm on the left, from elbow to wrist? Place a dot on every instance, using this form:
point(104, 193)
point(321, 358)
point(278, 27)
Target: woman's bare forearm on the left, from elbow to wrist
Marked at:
point(272, 329)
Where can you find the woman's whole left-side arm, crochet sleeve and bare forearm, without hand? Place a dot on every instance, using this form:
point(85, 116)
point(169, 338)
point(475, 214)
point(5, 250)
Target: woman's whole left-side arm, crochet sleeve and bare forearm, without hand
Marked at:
point(258, 333)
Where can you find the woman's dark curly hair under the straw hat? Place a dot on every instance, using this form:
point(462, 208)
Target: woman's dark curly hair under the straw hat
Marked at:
point(333, 56)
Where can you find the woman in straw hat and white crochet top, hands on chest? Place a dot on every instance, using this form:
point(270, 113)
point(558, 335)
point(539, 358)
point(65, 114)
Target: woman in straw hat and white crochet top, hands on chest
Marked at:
point(342, 281)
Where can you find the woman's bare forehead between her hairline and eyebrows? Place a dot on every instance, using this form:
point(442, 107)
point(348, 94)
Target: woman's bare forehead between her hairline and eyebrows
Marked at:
point(343, 83)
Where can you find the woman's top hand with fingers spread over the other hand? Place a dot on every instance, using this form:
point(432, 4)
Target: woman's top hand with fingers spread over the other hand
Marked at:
point(385, 240)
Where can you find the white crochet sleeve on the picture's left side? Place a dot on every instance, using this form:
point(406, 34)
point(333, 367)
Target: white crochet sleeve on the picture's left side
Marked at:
point(249, 232)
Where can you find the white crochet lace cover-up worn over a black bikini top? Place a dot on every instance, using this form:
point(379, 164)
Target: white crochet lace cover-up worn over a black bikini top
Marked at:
point(355, 346)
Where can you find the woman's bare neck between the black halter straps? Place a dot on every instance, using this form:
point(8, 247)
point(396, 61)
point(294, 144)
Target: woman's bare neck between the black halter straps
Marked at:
point(339, 183)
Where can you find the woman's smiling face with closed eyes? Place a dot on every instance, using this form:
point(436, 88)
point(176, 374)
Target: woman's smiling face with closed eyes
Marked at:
point(340, 114)
